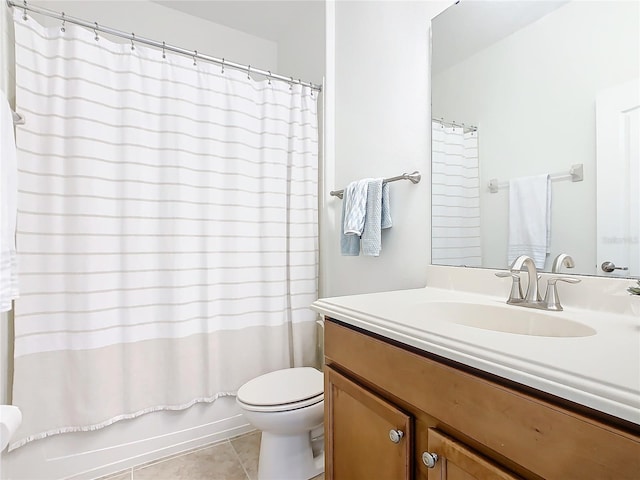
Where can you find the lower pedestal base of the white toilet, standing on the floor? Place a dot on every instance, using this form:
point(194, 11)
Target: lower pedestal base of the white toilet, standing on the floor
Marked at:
point(298, 463)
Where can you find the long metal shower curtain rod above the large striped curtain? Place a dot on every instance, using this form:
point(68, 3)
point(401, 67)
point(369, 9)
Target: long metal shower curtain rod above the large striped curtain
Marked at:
point(161, 45)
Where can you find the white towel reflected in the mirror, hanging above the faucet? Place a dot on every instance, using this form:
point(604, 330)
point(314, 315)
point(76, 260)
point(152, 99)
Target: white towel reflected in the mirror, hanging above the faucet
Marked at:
point(530, 218)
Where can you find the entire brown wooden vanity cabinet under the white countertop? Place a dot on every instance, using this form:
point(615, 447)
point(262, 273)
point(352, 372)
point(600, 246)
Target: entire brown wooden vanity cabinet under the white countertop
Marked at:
point(479, 426)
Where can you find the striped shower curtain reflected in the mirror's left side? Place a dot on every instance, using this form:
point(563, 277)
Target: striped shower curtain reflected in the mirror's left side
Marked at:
point(455, 197)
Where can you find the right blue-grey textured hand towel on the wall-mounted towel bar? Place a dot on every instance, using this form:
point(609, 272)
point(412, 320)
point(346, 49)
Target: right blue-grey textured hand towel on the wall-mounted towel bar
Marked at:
point(378, 217)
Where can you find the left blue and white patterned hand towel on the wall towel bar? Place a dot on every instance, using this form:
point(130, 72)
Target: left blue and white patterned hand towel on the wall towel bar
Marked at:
point(354, 199)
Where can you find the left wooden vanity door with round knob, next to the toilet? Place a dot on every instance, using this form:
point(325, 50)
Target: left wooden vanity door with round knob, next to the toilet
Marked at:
point(358, 431)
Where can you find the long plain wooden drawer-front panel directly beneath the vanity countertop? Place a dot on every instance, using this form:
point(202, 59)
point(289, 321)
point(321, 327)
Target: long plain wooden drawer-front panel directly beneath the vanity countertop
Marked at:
point(543, 438)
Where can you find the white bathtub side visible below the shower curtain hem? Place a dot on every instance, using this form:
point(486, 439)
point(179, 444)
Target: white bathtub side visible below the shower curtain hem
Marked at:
point(125, 444)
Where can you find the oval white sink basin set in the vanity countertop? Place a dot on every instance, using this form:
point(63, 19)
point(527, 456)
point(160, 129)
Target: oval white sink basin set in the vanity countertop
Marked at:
point(507, 319)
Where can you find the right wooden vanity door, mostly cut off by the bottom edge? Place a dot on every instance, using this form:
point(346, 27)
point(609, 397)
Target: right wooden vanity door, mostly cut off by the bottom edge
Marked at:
point(458, 462)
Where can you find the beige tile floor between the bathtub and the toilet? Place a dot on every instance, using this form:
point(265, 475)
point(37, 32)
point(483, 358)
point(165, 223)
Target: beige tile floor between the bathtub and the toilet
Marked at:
point(233, 459)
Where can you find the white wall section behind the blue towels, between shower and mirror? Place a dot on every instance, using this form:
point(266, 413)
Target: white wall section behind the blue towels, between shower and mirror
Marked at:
point(379, 75)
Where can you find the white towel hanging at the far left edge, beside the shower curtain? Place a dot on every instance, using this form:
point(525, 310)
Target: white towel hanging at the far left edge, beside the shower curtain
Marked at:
point(8, 208)
